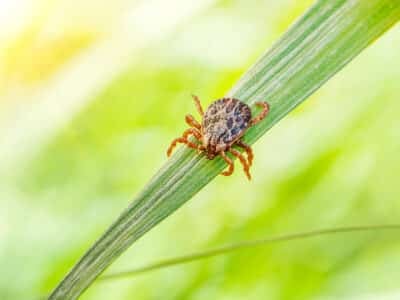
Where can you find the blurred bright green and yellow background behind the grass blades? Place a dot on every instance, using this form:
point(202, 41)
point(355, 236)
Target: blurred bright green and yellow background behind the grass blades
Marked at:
point(91, 94)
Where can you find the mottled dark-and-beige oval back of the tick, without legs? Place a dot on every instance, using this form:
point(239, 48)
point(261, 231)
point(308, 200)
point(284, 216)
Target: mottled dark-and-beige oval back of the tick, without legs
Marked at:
point(225, 121)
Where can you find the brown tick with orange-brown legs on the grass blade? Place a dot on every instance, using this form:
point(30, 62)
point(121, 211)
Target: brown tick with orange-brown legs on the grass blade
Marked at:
point(223, 125)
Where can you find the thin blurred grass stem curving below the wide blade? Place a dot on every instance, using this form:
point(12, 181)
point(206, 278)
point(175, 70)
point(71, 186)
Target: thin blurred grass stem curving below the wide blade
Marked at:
point(244, 245)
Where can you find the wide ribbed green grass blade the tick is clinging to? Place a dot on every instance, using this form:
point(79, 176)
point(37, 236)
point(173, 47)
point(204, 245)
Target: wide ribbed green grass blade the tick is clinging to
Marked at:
point(326, 38)
